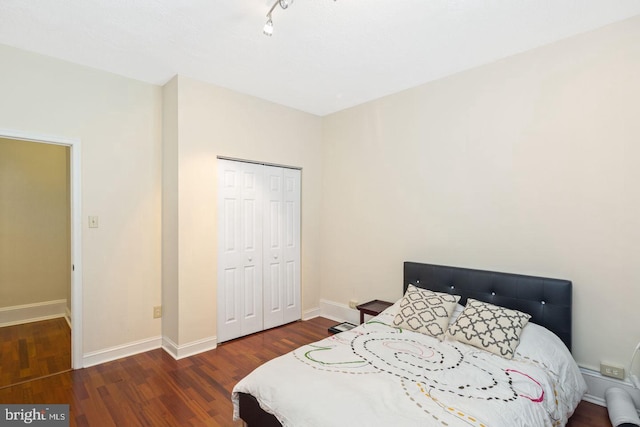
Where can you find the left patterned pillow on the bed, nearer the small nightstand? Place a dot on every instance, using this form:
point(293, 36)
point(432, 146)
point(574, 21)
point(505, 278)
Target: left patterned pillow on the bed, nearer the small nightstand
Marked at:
point(425, 311)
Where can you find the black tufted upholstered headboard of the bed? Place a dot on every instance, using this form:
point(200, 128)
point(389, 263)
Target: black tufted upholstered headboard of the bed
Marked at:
point(548, 301)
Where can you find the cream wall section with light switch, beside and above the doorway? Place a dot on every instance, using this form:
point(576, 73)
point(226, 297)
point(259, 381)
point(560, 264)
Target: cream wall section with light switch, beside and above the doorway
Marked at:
point(118, 122)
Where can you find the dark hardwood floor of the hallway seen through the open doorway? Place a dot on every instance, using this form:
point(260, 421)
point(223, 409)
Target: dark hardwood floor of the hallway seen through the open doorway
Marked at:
point(34, 350)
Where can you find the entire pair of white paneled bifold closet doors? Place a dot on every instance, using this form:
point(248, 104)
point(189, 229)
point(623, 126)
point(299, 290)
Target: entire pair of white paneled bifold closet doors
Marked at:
point(258, 248)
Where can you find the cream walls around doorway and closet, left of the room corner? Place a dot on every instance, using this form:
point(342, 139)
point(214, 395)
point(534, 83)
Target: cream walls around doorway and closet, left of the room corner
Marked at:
point(119, 122)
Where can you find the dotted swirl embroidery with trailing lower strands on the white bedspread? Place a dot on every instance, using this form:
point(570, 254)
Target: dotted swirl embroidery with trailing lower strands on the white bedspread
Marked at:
point(430, 375)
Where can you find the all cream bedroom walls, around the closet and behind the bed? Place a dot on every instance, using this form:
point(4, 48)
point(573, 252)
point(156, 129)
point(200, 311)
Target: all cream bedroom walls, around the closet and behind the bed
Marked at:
point(524, 165)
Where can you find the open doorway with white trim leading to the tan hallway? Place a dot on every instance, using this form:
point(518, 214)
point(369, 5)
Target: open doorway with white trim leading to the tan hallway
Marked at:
point(40, 190)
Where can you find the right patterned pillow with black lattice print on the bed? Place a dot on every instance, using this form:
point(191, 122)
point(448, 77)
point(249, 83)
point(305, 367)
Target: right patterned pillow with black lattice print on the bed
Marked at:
point(489, 327)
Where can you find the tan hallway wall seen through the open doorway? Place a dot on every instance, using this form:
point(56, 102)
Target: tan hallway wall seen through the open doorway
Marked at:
point(34, 223)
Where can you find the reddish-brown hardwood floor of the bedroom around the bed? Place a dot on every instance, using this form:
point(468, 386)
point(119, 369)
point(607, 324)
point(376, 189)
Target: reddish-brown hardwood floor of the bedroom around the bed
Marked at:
point(153, 389)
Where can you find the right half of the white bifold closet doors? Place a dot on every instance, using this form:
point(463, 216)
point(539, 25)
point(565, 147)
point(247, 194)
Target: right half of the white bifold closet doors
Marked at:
point(281, 246)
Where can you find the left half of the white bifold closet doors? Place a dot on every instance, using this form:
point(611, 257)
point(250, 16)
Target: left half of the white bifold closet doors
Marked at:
point(240, 268)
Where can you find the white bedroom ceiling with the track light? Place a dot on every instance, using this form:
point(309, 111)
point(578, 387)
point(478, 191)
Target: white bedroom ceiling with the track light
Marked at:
point(324, 55)
